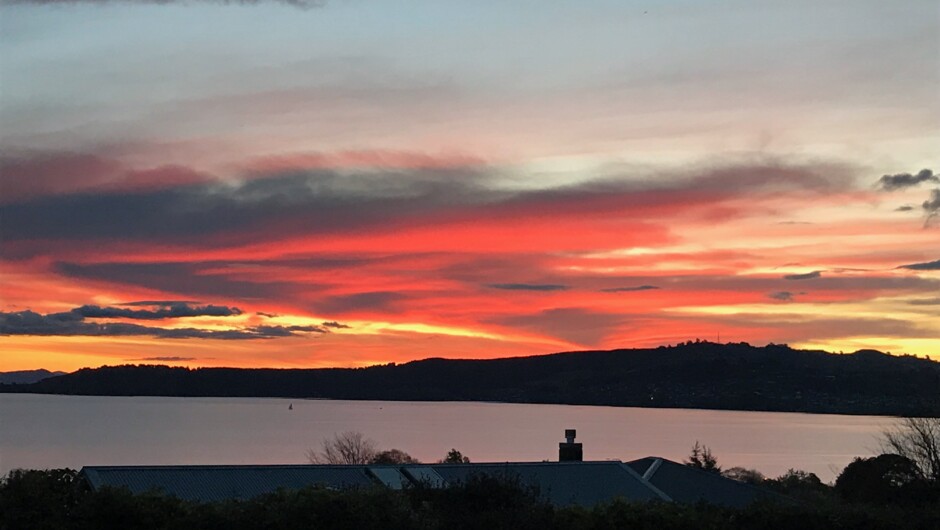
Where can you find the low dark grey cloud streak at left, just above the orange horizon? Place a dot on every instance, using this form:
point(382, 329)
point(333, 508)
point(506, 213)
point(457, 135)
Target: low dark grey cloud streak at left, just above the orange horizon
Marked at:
point(74, 324)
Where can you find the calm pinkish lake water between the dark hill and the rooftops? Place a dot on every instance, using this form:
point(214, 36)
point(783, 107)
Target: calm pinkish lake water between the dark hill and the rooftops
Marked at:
point(39, 431)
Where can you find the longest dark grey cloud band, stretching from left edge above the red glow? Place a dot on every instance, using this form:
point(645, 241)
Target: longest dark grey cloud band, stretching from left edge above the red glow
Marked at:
point(313, 202)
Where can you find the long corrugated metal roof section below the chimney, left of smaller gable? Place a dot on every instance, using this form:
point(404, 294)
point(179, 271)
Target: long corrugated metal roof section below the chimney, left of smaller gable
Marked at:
point(561, 483)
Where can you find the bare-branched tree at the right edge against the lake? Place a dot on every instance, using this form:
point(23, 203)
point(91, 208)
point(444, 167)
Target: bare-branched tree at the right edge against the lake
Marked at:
point(918, 440)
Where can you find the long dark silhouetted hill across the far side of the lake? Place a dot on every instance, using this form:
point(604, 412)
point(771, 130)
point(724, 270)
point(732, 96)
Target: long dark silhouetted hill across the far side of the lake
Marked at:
point(692, 375)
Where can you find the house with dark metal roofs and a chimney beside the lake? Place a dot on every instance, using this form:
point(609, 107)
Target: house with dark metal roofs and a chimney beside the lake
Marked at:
point(569, 481)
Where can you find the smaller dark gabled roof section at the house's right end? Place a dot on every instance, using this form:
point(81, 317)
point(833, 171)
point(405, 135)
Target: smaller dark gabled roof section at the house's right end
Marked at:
point(686, 484)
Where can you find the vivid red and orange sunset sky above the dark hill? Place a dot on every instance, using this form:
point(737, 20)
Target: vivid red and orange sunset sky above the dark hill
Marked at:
point(356, 182)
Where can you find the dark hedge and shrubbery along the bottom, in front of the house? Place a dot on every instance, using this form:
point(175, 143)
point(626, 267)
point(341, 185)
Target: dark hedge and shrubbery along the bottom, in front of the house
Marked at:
point(57, 499)
